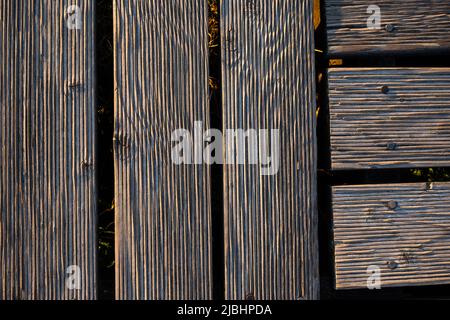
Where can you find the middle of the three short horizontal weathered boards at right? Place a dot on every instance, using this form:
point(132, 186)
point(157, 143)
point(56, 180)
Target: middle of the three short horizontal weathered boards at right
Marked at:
point(389, 118)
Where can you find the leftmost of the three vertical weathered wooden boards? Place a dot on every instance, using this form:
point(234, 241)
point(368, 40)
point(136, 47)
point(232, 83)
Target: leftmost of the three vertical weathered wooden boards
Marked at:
point(47, 162)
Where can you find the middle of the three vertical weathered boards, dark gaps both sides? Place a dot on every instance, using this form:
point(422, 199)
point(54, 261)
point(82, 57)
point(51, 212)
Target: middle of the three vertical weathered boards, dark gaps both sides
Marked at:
point(163, 221)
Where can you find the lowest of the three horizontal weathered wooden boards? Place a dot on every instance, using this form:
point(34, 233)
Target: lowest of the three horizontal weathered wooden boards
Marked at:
point(403, 229)
